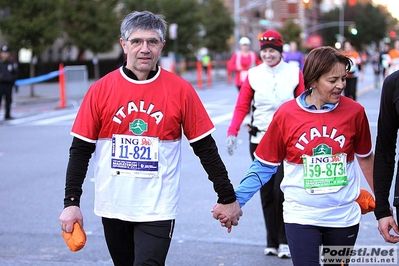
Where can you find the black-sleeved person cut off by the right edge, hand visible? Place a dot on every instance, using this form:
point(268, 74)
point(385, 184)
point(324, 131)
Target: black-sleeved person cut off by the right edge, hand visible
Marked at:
point(384, 162)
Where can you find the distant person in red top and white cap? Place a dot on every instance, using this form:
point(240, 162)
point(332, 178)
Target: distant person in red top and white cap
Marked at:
point(242, 60)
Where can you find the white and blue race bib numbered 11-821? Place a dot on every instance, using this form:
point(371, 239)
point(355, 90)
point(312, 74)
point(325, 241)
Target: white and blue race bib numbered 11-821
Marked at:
point(134, 156)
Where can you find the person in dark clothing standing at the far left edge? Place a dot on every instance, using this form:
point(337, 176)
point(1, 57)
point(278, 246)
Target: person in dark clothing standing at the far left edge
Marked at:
point(8, 75)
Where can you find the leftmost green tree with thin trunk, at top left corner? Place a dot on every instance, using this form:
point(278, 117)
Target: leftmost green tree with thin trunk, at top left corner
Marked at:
point(33, 24)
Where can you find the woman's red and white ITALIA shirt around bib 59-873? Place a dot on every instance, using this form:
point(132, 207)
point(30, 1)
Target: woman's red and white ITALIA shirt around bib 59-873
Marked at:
point(296, 131)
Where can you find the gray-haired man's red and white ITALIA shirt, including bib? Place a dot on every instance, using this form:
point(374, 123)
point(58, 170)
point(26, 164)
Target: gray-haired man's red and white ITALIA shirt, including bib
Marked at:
point(137, 127)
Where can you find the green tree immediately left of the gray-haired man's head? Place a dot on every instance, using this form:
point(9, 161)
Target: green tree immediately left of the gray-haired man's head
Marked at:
point(91, 25)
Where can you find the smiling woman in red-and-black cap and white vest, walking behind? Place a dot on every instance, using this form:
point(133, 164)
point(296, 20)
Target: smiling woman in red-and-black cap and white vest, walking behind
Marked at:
point(266, 87)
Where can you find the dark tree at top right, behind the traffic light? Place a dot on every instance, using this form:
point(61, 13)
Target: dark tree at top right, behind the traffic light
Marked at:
point(370, 23)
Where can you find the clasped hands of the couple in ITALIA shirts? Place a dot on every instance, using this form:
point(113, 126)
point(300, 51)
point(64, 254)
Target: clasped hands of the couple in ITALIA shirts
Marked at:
point(227, 214)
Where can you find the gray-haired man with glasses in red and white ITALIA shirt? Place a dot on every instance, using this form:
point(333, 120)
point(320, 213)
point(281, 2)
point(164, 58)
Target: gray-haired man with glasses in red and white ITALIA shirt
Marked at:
point(133, 119)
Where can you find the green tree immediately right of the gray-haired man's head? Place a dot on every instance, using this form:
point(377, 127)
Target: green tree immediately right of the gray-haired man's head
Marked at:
point(211, 17)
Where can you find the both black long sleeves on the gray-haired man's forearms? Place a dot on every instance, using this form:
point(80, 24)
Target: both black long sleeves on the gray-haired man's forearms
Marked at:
point(80, 153)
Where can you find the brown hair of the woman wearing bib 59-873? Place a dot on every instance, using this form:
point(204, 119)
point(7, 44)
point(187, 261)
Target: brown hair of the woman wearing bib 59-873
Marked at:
point(320, 61)
